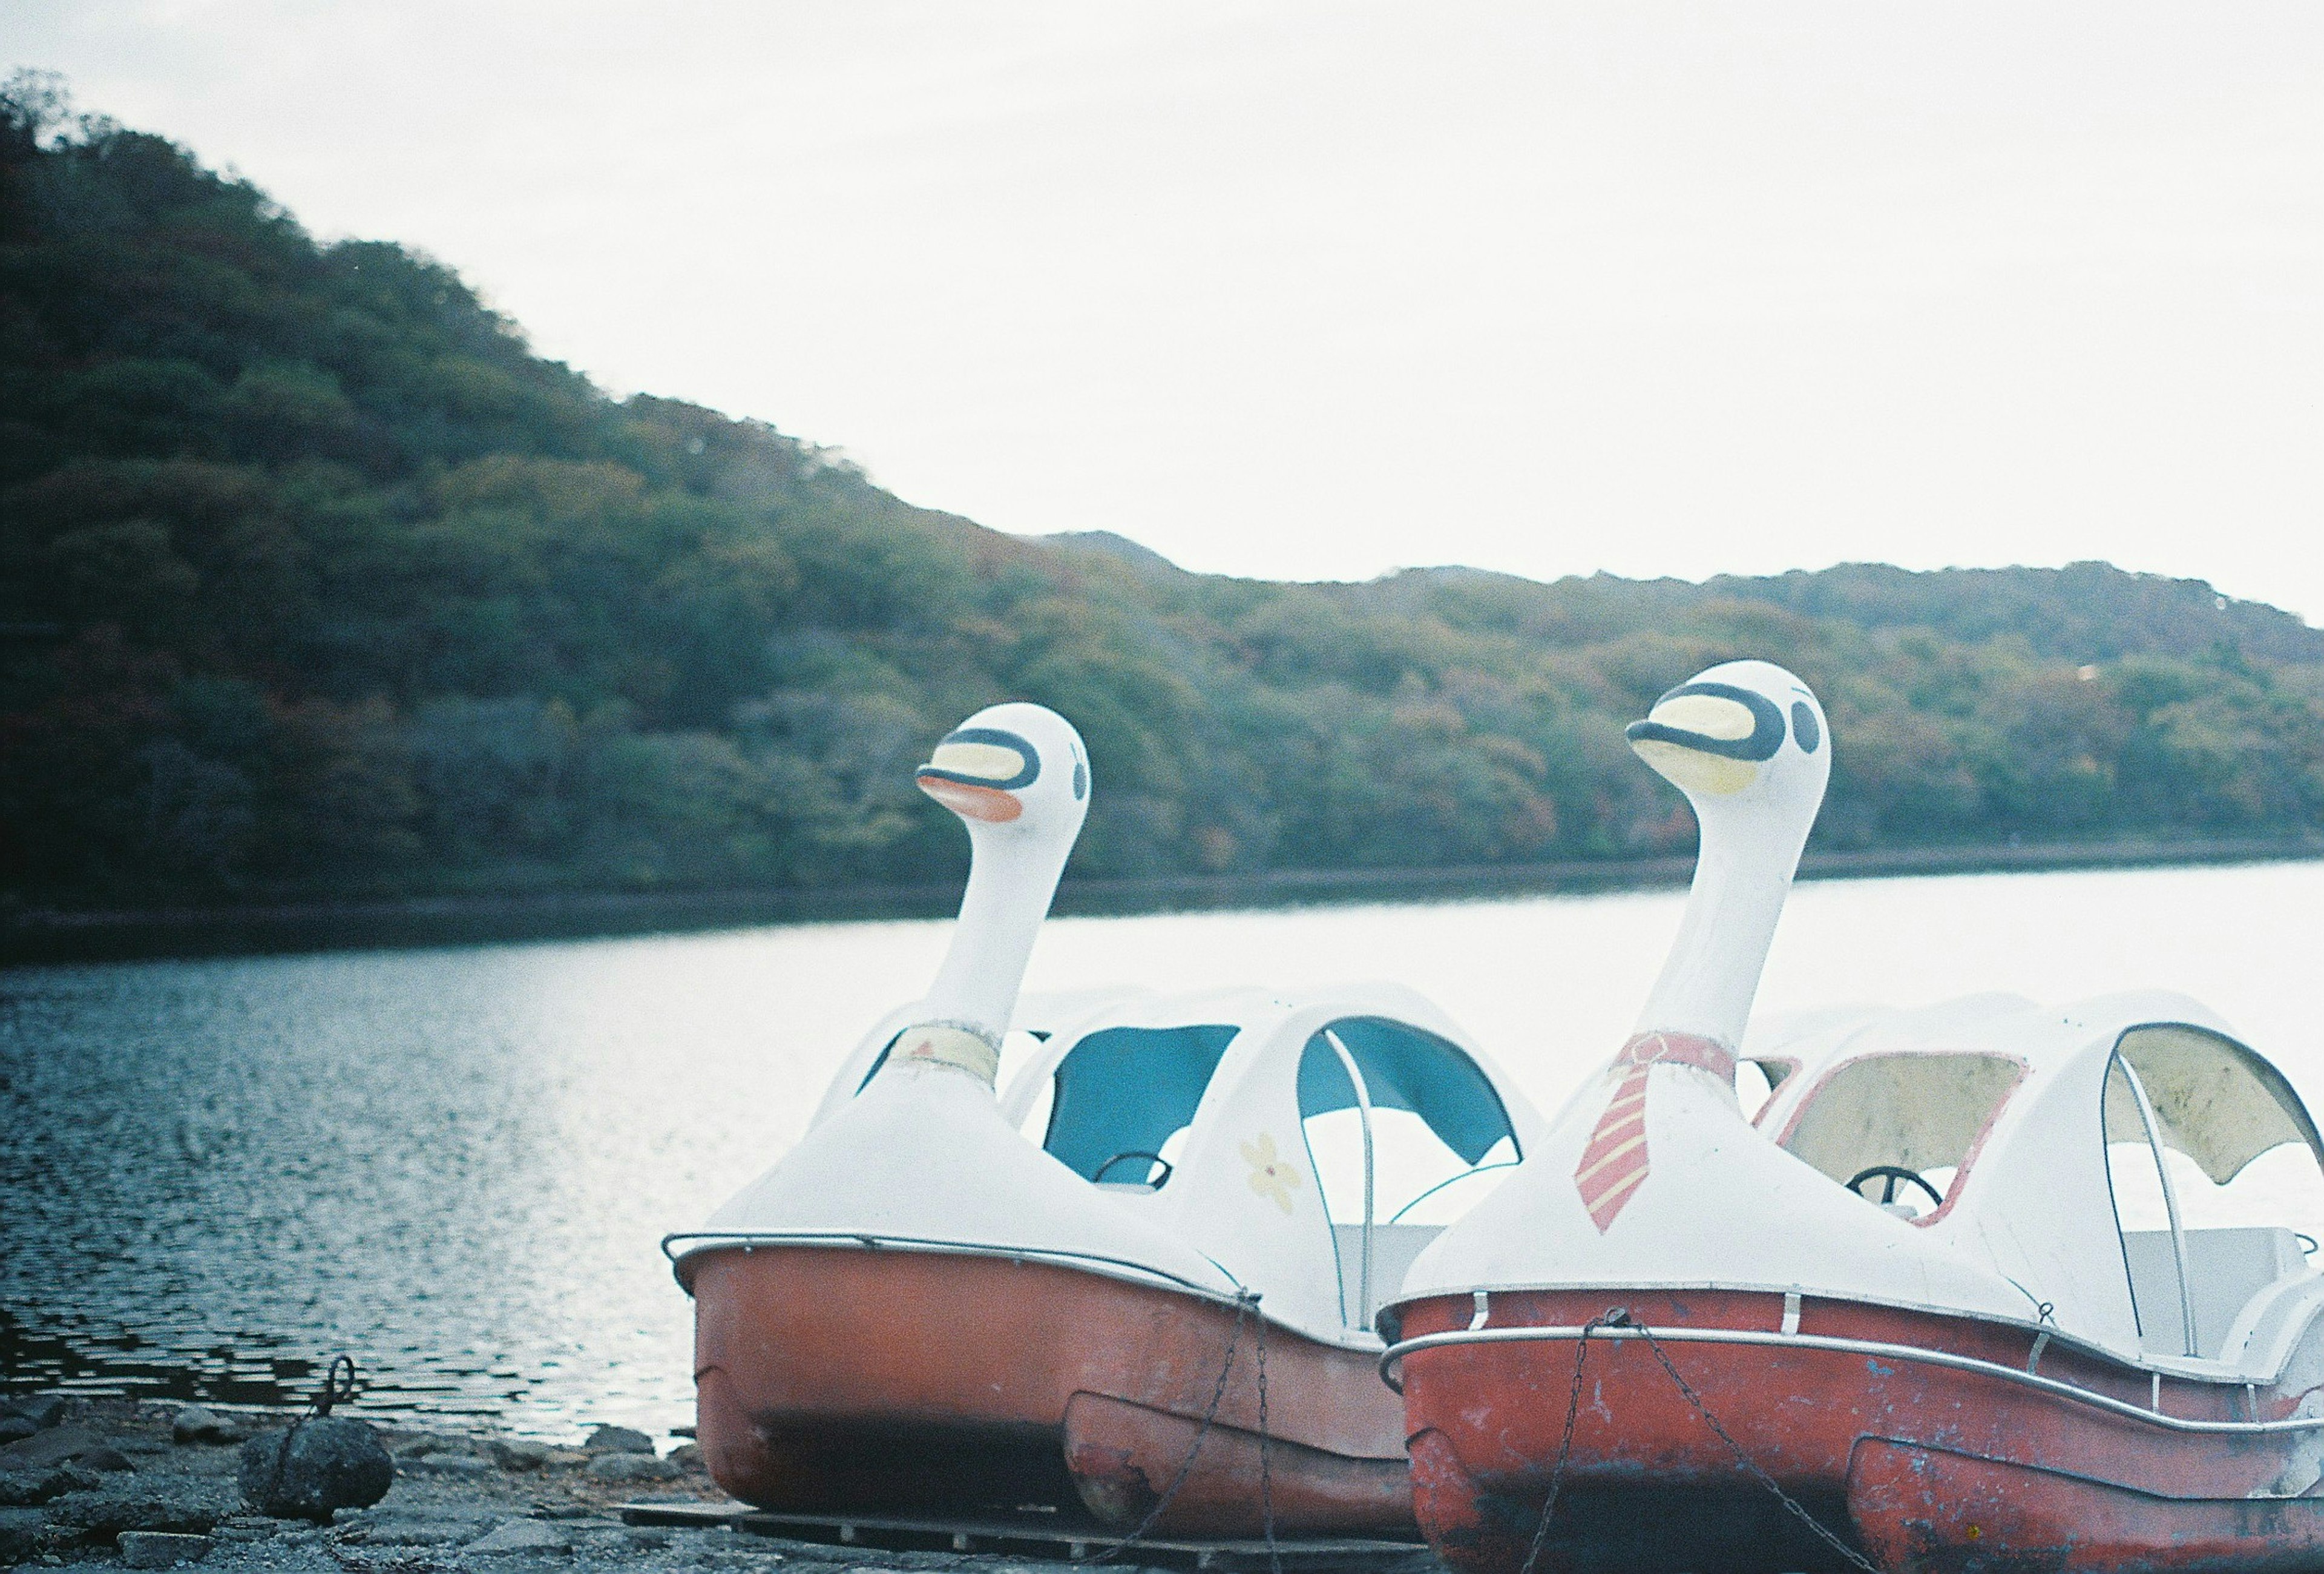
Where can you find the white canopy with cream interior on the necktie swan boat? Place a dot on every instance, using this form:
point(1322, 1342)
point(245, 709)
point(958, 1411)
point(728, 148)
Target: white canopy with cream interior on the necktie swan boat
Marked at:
point(2021, 1138)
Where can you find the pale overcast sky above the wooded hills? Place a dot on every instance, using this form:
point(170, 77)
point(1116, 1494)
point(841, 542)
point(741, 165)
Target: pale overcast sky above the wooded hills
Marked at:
point(1324, 289)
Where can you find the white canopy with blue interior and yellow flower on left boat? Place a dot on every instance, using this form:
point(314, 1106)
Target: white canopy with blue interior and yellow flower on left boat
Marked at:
point(1279, 1133)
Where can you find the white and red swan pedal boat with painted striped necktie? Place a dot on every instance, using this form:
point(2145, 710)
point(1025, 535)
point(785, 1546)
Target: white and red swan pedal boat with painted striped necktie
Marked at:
point(1944, 1294)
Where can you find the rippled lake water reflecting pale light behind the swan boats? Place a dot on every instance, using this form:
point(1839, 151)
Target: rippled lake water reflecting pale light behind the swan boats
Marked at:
point(457, 1164)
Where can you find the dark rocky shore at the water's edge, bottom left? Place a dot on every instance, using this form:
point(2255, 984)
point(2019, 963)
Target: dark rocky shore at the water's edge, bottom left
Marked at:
point(155, 1487)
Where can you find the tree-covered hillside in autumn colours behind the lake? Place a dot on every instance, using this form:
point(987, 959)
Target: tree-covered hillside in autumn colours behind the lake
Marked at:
point(317, 582)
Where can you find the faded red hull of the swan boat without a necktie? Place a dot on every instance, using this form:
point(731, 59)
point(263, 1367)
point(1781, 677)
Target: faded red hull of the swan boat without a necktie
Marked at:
point(835, 1380)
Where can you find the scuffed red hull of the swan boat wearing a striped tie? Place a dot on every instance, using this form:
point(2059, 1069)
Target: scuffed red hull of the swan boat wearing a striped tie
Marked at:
point(1651, 1484)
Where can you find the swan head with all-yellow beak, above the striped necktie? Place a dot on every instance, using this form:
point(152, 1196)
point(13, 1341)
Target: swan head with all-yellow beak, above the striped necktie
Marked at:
point(1744, 738)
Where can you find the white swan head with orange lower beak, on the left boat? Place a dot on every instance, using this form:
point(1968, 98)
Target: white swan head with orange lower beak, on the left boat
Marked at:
point(1012, 768)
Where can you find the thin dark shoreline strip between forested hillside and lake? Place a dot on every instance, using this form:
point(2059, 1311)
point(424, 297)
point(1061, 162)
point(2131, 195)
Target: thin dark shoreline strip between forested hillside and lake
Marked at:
point(41, 938)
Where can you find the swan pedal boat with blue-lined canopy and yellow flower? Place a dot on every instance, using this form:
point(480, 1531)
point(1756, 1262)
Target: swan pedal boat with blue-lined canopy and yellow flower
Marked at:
point(1066, 1296)
